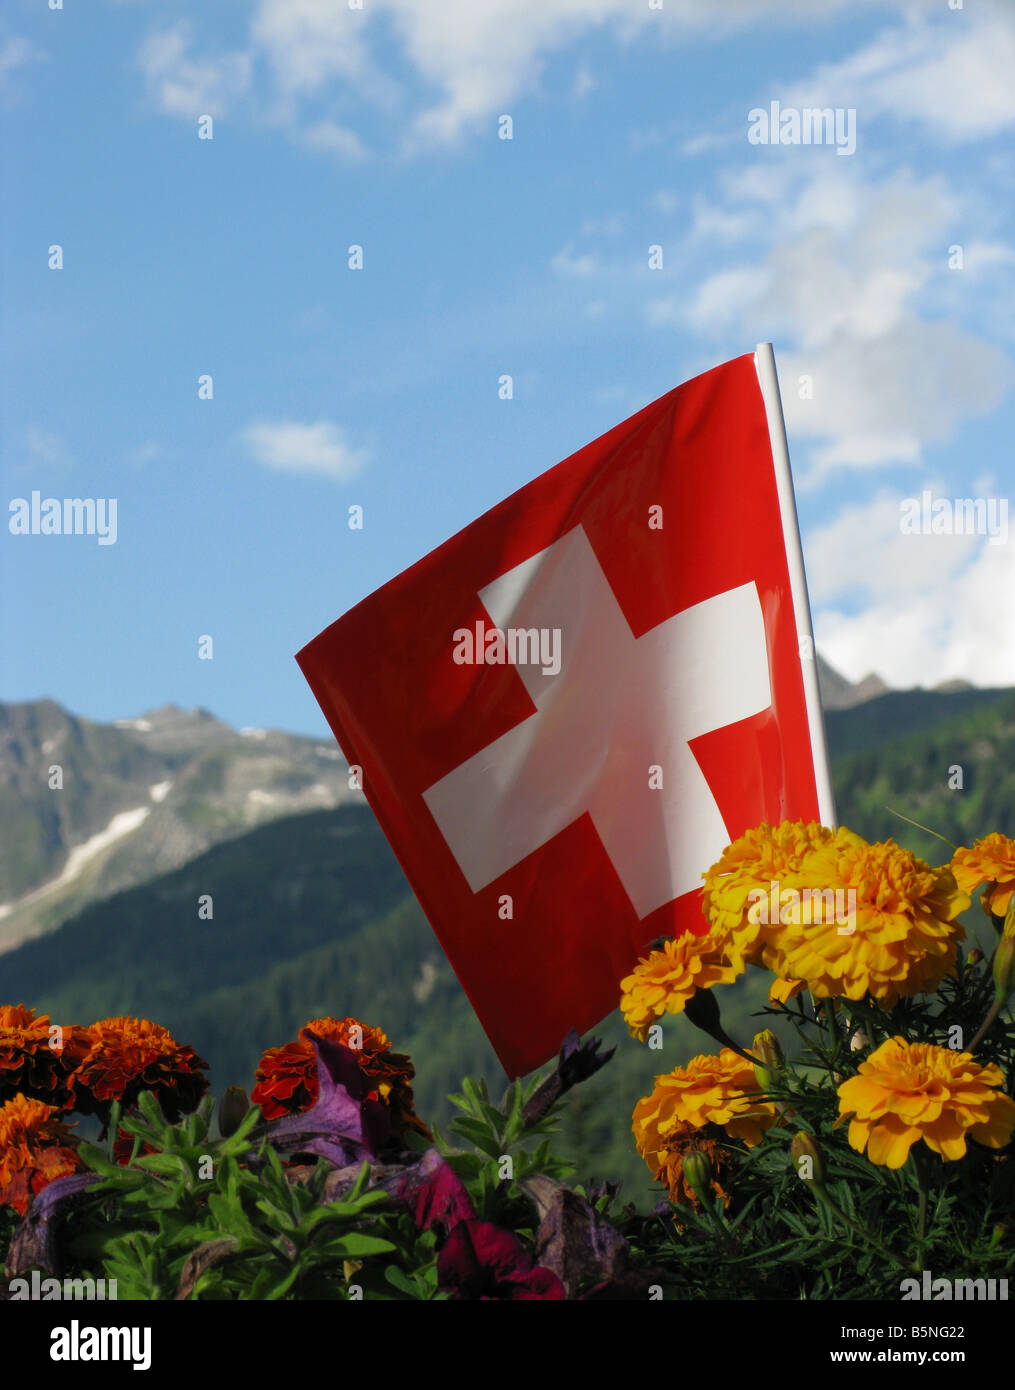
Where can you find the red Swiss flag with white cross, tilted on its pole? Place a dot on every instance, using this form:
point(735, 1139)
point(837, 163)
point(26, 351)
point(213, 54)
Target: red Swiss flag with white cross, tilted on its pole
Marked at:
point(568, 711)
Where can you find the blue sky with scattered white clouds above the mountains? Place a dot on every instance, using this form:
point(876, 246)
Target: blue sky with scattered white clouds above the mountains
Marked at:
point(482, 256)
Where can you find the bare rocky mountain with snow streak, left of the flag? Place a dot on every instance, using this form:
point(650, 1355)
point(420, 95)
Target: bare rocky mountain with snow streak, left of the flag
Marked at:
point(92, 808)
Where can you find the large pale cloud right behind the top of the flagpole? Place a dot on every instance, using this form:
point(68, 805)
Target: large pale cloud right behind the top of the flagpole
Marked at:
point(842, 286)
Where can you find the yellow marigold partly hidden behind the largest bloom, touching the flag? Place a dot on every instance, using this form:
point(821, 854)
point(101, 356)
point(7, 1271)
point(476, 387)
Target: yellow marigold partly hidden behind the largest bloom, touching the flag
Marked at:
point(749, 868)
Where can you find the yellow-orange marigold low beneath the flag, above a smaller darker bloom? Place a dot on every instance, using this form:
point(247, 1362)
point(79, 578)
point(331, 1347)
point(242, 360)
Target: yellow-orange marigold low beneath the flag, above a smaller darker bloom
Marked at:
point(710, 1090)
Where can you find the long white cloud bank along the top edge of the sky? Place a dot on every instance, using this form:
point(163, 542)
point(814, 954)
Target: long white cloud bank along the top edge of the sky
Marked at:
point(468, 62)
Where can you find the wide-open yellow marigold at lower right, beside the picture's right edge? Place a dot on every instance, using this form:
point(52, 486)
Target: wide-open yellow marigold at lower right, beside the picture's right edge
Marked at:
point(910, 1092)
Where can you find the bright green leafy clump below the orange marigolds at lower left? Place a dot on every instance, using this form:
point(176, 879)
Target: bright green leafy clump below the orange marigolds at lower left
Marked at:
point(204, 1218)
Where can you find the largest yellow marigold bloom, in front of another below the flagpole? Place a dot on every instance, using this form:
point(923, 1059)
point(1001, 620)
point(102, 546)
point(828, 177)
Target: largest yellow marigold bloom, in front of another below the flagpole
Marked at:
point(904, 935)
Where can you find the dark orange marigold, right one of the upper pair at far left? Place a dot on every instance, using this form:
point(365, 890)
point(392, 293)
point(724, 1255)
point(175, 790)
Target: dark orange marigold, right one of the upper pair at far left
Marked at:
point(127, 1057)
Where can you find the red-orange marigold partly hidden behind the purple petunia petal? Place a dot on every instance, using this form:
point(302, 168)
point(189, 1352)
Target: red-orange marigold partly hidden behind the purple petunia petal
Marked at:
point(287, 1077)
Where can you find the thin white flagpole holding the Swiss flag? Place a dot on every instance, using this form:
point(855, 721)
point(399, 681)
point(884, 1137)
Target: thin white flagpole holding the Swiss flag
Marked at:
point(765, 363)
